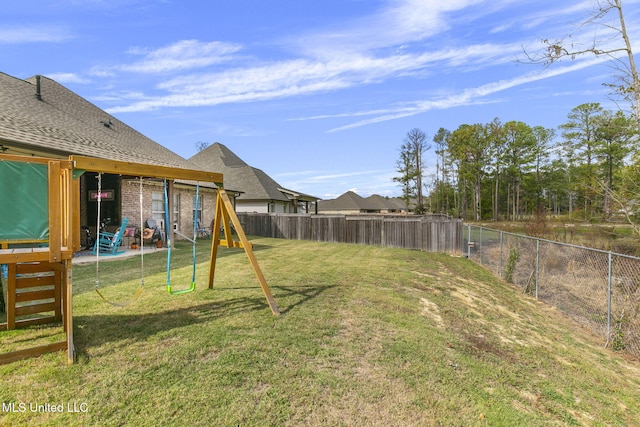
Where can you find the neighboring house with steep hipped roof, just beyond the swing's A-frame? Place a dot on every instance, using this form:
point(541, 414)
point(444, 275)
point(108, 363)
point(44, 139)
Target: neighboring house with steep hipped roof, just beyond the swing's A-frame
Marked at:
point(260, 193)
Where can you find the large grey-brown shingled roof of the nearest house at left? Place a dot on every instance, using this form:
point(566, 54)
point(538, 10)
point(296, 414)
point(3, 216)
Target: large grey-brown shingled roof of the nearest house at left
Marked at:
point(62, 123)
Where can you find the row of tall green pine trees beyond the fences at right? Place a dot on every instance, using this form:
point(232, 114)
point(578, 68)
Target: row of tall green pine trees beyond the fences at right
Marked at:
point(588, 168)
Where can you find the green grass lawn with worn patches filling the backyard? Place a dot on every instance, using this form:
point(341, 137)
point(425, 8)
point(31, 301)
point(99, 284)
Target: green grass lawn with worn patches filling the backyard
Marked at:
point(368, 336)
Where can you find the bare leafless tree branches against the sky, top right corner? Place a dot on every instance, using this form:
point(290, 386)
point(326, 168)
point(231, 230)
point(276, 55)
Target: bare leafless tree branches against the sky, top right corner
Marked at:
point(628, 83)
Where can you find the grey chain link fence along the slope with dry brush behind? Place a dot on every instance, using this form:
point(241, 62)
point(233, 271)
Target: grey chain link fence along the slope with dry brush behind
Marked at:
point(596, 288)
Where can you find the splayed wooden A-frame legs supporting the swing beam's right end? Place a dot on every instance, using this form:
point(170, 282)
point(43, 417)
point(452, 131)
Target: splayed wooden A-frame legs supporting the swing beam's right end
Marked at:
point(224, 213)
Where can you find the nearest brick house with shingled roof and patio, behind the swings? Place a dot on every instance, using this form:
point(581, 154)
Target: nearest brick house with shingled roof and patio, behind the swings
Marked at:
point(39, 117)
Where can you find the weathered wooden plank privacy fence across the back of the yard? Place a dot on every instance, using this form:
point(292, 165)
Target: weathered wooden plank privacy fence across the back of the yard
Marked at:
point(428, 233)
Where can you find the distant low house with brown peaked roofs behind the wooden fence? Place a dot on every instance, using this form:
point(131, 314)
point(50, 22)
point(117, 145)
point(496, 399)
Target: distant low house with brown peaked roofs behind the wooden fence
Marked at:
point(350, 203)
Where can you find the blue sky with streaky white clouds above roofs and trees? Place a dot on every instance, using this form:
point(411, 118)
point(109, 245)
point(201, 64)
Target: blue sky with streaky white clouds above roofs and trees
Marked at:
point(318, 94)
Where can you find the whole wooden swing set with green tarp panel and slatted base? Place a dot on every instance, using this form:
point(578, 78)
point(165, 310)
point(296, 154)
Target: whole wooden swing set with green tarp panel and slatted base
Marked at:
point(40, 233)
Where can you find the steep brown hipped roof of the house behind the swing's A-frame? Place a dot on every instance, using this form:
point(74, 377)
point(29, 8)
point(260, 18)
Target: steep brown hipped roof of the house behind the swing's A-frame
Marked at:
point(255, 184)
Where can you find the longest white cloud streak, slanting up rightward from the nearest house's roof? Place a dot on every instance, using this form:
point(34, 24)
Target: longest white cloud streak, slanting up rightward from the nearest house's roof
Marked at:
point(296, 77)
